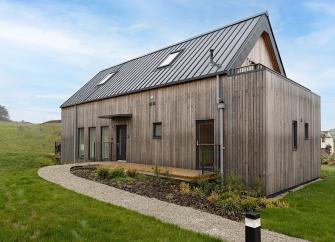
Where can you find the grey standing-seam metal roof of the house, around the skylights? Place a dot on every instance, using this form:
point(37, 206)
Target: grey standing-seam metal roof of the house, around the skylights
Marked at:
point(231, 45)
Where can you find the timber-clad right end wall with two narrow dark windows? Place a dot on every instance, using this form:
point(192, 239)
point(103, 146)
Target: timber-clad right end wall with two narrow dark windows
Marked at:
point(285, 102)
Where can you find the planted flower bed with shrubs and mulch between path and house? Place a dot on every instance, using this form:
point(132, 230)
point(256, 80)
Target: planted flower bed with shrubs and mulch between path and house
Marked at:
point(204, 195)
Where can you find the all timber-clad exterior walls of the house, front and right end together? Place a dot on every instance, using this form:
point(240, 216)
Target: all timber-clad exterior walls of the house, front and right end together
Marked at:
point(260, 107)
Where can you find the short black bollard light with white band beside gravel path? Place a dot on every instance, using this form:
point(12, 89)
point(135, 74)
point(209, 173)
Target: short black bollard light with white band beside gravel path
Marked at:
point(252, 227)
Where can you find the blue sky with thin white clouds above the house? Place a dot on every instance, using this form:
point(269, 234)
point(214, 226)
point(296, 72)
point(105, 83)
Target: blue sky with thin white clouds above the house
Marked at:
point(49, 49)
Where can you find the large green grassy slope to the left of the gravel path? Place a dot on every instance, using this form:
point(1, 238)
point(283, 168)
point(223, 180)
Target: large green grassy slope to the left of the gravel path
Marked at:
point(32, 209)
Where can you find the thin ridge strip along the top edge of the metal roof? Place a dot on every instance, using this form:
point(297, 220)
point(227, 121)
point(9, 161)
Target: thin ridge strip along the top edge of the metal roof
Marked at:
point(194, 37)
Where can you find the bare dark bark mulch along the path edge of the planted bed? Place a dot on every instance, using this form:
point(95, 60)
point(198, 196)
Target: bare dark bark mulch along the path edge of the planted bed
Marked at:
point(164, 189)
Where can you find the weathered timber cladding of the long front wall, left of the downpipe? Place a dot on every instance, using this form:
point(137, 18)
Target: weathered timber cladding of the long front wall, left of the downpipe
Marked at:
point(177, 107)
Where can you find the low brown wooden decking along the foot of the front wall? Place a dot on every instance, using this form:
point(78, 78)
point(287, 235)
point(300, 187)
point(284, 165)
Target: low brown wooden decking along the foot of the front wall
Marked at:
point(177, 173)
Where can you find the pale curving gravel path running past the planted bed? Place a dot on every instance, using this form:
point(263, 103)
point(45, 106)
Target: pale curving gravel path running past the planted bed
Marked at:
point(184, 217)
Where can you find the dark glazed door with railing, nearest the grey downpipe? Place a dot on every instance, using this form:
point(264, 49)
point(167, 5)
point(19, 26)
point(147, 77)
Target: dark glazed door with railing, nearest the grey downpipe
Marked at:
point(205, 145)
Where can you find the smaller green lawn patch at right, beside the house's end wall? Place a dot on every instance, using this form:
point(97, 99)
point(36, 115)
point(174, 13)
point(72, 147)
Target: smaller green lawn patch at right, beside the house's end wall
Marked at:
point(311, 214)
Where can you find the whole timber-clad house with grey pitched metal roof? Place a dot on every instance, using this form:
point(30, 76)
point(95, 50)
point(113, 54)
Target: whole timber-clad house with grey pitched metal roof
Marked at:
point(167, 108)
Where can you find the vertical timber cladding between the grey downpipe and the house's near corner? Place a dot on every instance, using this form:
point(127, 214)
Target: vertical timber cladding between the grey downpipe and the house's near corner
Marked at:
point(244, 125)
